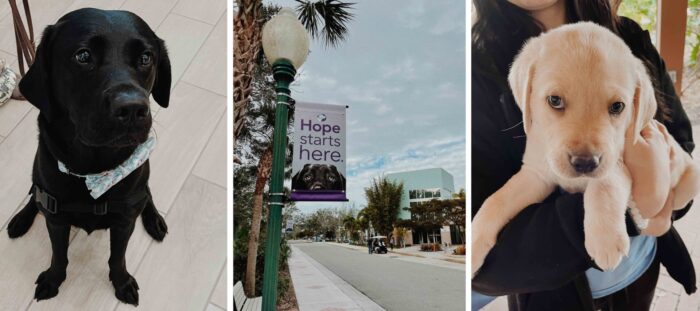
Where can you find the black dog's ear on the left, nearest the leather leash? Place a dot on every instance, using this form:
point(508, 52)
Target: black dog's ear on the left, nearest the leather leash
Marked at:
point(35, 86)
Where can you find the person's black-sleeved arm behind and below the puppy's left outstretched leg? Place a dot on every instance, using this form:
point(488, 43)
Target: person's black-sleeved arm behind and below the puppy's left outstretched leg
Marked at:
point(543, 247)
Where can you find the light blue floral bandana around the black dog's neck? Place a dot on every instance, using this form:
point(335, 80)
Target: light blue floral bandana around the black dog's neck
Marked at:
point(99, 183)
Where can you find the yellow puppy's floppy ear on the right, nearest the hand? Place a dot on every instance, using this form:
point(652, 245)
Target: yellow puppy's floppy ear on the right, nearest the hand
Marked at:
point(644, 101)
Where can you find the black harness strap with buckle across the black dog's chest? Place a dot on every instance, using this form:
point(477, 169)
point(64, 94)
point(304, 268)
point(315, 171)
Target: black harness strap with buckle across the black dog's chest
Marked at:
point(49, 204)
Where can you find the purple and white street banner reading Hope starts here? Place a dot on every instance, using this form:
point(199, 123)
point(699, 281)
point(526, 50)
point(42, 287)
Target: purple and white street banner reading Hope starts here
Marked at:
point(318, 165)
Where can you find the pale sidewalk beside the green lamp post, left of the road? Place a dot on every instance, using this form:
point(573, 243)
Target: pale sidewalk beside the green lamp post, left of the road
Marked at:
point(317, 288)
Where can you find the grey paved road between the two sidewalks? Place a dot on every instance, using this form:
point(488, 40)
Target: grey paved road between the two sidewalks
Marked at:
point(393, 284)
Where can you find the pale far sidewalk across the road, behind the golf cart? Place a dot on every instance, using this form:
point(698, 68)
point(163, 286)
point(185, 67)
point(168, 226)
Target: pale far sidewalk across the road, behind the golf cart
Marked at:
point(413, 254)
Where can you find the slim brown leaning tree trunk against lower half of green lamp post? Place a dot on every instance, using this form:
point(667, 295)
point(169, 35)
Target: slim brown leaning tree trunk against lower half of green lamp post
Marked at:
point(263, 174)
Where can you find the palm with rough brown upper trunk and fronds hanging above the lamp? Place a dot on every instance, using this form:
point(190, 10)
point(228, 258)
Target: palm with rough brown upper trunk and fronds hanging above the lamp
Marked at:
point(324, 19)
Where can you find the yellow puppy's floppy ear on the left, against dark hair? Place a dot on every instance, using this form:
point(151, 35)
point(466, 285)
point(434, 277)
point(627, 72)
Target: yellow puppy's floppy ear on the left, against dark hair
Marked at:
point(520, 79)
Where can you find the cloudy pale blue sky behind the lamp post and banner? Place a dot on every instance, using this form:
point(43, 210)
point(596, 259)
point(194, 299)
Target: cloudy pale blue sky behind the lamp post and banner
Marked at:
point(401, 71)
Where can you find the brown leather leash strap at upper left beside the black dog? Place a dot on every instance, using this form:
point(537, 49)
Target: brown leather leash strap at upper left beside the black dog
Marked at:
point(24, 38)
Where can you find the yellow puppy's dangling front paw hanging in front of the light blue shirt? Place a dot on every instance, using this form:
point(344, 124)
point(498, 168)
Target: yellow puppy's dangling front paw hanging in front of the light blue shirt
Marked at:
point(607, 250)
